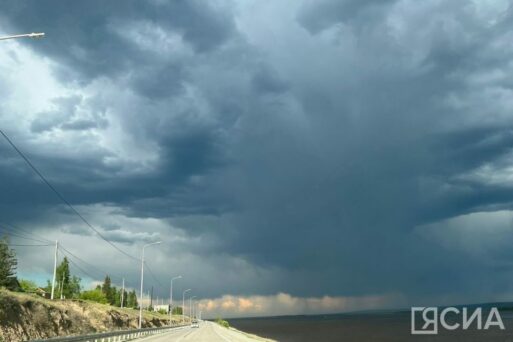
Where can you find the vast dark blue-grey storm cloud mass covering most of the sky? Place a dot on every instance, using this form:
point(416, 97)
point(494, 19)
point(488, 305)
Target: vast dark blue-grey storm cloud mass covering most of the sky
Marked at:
point(320, 163)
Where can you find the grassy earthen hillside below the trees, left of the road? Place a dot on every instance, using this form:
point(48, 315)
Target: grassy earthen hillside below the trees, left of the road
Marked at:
point(26, 316)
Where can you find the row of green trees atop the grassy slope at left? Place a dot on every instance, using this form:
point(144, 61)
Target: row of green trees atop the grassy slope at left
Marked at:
point(67, 286)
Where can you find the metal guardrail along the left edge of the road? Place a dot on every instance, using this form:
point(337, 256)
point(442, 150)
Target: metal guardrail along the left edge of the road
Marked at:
point(114, 336)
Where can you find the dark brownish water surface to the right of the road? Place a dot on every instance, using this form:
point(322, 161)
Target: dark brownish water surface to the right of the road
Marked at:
point(391, 326)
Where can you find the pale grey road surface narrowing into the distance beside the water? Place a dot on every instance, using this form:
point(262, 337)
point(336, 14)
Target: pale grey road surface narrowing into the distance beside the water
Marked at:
point(207, 332)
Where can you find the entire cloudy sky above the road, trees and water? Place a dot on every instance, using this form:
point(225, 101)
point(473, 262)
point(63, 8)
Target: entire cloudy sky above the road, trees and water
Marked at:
point(293, 156)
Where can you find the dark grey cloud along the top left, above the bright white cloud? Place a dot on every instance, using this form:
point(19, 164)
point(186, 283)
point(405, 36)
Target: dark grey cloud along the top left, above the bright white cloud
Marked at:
point(88, 45)
